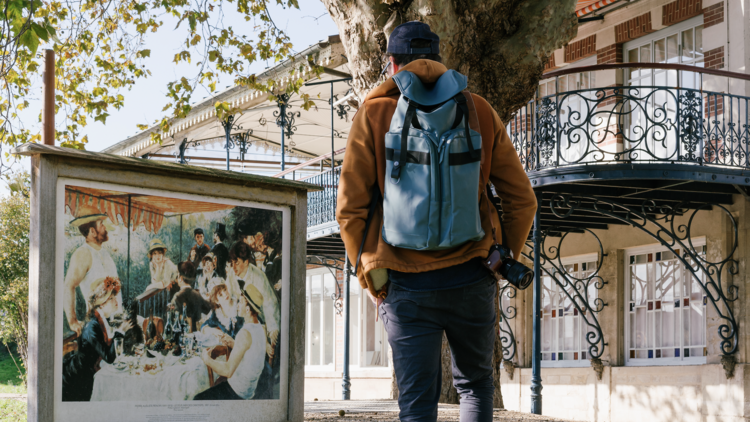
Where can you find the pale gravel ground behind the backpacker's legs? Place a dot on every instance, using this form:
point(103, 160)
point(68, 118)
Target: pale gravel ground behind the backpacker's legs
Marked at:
point(387, 411)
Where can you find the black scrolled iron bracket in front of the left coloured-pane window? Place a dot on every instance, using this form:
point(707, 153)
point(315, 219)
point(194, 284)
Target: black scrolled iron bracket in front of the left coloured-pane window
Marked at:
point(580, 291)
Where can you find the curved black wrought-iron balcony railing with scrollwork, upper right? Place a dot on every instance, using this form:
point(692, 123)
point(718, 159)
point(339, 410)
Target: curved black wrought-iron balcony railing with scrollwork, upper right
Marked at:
point(634, 124)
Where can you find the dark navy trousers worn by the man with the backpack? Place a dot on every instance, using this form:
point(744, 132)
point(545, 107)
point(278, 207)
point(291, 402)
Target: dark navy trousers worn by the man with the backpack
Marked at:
point(415, 322)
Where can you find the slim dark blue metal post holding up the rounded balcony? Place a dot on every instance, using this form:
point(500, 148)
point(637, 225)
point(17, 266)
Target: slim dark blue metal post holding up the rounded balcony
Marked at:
point(536, 376)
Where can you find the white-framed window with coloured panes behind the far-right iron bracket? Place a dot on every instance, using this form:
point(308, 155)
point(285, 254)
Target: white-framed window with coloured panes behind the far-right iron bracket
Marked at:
point(665, 315)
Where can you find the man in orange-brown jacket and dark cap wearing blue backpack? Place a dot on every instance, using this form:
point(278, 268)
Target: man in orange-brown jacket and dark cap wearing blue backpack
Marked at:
point(432, 286)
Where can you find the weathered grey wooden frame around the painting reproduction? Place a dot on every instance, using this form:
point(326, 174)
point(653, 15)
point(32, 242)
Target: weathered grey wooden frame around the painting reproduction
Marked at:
point(51, 163)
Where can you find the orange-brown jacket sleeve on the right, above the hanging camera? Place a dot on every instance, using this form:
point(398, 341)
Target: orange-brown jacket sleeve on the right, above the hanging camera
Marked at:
point(513, 187)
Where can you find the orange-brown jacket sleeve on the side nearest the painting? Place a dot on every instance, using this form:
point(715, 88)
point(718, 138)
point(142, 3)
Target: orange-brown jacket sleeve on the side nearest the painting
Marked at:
point(358, 176)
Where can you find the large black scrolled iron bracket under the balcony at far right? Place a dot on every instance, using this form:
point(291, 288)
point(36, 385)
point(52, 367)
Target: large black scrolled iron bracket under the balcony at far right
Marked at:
point(660, 222)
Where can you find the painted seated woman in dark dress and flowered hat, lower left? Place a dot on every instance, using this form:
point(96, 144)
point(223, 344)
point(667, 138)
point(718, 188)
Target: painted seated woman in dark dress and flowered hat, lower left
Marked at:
point(96, 342)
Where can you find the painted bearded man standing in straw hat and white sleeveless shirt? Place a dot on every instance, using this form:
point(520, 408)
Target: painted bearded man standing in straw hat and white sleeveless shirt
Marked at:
point(90, 262)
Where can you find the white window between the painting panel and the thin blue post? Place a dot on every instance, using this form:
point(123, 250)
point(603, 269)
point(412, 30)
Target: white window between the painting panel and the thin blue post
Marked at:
point(320, 342)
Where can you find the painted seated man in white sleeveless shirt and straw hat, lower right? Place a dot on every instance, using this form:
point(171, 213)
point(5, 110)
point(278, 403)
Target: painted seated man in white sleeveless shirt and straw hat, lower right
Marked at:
point(246, 361)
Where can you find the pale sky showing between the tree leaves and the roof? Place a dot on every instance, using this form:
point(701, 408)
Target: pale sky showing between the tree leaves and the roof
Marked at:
point(143, 104)
